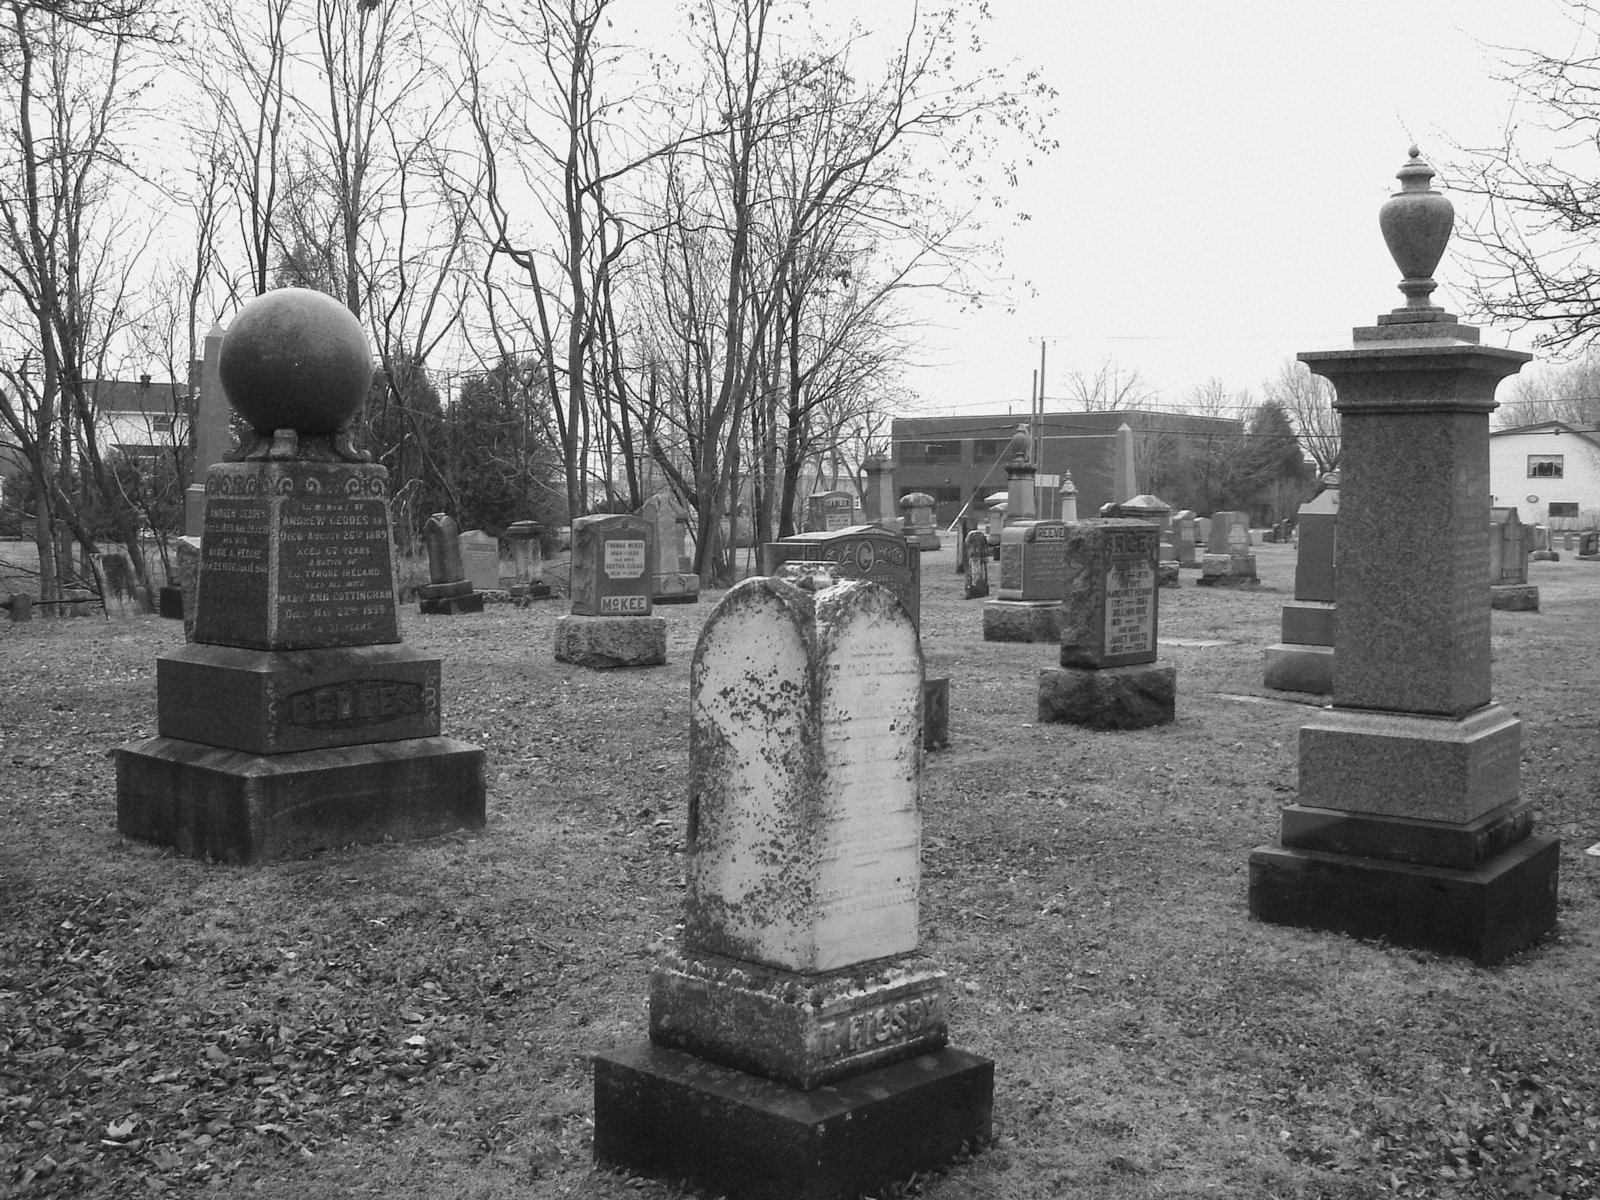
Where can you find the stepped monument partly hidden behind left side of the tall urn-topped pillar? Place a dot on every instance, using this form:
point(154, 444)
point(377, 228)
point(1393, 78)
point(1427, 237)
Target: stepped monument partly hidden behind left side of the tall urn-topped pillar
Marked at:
point(1303, 660)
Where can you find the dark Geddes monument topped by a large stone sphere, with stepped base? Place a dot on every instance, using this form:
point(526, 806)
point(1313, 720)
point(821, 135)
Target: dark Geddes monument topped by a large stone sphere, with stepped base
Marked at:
point(297, 719)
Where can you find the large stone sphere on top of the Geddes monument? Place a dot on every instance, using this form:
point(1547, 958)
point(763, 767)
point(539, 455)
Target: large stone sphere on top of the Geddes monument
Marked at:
point(297, 359)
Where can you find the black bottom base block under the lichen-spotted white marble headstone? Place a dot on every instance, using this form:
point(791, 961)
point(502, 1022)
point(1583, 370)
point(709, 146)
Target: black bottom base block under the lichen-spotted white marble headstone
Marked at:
point(666, 1114)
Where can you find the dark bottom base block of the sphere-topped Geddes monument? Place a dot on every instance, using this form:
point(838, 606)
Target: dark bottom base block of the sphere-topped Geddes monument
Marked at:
point(215, 804)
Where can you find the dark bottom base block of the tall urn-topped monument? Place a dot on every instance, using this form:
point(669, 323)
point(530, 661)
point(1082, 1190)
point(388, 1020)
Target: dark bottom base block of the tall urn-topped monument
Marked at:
point(1484, 914)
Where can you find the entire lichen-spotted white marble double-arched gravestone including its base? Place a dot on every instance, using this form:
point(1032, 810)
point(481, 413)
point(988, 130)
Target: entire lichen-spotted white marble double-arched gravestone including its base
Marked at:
point(798, 1041)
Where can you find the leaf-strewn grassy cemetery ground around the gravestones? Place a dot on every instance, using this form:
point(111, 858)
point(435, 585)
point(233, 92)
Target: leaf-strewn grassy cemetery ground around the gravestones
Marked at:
point(417, 1020)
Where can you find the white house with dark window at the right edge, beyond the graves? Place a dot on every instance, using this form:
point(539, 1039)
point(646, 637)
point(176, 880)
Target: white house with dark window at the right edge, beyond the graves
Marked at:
point(1550, 473)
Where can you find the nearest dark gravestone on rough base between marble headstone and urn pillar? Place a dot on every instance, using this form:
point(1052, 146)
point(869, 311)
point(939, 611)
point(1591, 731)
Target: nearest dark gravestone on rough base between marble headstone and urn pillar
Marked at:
point(1110, 617)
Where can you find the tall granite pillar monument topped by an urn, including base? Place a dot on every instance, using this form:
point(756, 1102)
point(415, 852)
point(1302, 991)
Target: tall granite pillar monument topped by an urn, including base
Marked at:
point(1409, 825)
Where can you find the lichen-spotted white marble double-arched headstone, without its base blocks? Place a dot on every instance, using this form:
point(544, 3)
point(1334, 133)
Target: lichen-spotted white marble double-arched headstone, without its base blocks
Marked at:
point(806, 778)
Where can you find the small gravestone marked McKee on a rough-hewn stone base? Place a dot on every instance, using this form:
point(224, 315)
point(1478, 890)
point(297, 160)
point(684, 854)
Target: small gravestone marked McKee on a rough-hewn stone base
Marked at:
point(614, 582)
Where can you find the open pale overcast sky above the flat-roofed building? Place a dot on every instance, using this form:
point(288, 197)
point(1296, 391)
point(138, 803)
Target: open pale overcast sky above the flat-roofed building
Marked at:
point(1214, 206)
